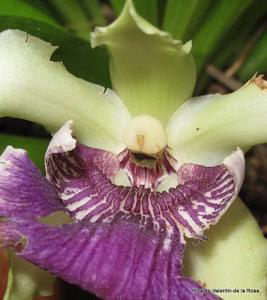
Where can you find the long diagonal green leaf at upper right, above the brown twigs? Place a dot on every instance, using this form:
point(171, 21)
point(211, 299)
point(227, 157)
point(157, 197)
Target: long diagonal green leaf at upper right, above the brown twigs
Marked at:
point(218, 22)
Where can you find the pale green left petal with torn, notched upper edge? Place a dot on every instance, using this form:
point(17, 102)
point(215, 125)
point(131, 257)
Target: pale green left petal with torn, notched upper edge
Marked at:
point(34, 88)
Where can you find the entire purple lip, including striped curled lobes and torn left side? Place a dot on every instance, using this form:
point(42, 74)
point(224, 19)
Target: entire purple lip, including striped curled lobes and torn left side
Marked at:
point(126, 242)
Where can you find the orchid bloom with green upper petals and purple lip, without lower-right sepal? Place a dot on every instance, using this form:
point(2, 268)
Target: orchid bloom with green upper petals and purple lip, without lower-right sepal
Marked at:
point(140, 170)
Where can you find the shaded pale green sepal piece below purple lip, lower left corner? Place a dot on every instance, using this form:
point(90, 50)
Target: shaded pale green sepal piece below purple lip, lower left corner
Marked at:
point(26, 281)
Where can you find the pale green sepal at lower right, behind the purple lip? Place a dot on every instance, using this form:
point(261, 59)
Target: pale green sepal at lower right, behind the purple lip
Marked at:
point(233, 257)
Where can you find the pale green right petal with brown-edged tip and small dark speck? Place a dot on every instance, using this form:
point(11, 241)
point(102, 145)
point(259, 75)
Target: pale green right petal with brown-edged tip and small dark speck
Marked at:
point(206, 129)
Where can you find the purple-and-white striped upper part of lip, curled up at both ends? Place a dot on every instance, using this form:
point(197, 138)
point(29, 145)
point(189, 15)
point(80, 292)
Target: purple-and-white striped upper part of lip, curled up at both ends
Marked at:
point(83, 178)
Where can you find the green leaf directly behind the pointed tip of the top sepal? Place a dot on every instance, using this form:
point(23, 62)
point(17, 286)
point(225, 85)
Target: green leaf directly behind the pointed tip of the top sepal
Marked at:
point(147, 9)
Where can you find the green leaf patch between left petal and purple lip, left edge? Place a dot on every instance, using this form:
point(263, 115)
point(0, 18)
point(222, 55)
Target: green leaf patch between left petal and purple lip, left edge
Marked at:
point(36, 147)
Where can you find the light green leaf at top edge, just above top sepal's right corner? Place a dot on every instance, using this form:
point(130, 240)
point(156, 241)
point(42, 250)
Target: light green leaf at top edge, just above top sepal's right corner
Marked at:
point(182, 16)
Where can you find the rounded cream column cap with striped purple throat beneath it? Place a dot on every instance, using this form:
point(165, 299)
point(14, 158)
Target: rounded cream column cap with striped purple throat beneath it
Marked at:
point(145, 159)
